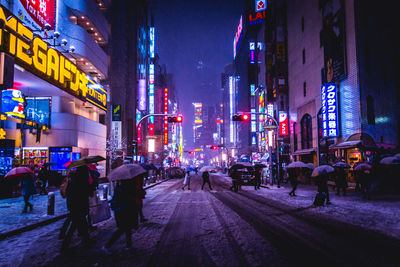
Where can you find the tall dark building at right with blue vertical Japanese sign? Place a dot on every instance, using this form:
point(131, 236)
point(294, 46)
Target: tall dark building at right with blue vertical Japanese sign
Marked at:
point(338, 107)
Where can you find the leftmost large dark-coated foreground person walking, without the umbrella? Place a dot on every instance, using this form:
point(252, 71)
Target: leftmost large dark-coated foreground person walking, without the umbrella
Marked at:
point(78, 198)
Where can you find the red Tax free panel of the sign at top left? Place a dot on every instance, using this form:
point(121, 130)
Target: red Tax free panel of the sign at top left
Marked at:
point(41, 11)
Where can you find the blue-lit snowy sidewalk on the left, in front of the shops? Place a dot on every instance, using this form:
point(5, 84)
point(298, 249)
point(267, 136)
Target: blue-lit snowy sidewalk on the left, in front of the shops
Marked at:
point(13, 221)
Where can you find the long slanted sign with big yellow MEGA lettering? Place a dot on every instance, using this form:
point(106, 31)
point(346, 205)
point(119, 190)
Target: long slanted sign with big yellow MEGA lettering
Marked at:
point(36, 56)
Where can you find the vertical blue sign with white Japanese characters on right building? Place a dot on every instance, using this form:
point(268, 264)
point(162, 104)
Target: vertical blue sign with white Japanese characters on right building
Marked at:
point(329, 110)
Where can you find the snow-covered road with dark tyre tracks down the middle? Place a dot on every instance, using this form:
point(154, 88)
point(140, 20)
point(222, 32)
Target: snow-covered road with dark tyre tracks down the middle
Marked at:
point(214, 228)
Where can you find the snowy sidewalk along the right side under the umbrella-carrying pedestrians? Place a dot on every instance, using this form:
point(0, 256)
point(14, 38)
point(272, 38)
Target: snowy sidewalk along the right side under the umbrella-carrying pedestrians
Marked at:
point(381, 213)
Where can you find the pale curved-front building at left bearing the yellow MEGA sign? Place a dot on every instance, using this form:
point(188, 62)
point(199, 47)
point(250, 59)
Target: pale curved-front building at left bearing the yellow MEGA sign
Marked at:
point(53, 102)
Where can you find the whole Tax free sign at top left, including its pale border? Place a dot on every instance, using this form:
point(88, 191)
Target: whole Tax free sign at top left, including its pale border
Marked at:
point(36, 13)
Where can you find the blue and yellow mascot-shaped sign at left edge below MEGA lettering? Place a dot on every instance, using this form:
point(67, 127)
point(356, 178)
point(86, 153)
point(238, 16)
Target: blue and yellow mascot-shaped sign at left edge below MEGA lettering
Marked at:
point(13, 103)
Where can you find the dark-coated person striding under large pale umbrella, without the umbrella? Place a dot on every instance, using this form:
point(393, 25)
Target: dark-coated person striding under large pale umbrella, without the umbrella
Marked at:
point(125, 212)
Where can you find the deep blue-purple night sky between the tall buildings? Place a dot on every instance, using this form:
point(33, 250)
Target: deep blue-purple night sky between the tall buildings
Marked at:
point(194, 39)
